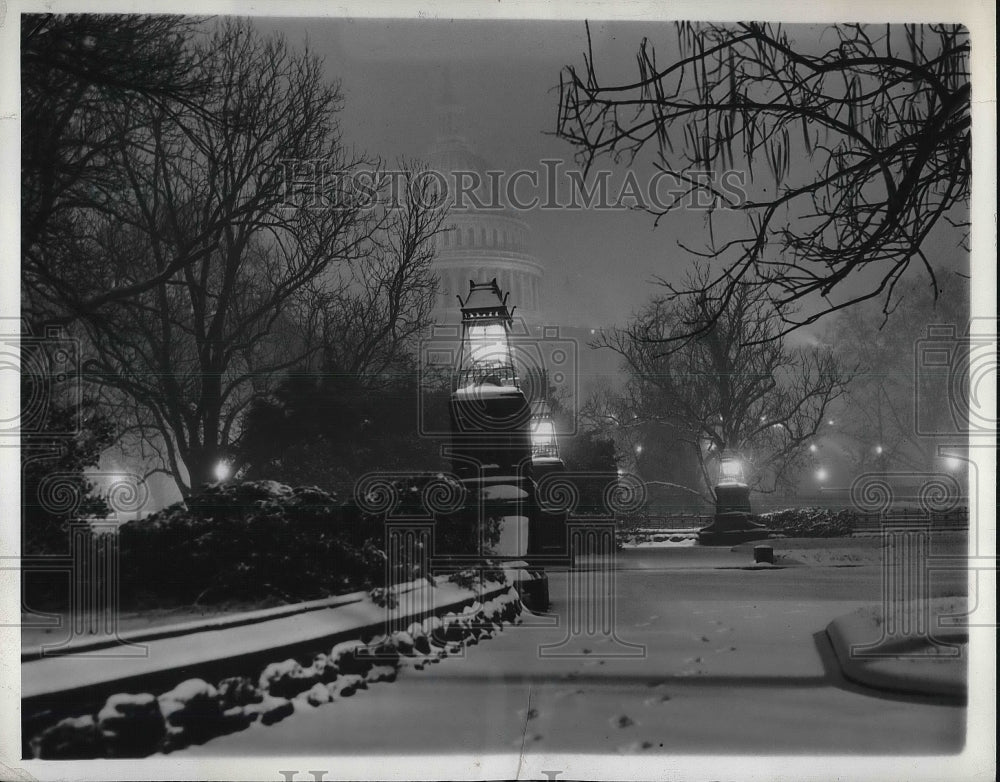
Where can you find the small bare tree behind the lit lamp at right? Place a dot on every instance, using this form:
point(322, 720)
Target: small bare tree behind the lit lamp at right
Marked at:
point(736, 385)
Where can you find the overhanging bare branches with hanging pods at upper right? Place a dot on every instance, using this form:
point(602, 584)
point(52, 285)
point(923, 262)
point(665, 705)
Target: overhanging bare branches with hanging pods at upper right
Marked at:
point(877, 121)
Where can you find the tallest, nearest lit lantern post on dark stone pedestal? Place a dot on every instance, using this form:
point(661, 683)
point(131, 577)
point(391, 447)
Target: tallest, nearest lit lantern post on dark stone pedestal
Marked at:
point(491, 447)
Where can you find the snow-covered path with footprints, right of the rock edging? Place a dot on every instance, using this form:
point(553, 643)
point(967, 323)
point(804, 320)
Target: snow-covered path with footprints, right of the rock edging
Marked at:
point(735, 661)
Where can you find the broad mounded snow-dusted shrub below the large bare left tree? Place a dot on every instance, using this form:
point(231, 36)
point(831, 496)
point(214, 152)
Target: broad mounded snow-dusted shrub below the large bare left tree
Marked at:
point(250, 540)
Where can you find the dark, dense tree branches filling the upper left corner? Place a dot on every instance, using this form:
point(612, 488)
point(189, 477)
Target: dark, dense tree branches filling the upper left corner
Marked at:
point(87, 80)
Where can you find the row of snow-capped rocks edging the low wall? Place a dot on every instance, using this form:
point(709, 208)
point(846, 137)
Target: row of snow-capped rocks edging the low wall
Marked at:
point(194, 710)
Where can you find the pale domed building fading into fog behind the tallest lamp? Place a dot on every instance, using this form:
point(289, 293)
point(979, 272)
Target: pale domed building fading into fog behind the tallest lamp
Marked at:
point(485, 237)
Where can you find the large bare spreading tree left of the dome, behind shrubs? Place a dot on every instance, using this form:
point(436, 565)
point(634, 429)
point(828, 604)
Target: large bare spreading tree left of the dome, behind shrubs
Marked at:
point(187, 355)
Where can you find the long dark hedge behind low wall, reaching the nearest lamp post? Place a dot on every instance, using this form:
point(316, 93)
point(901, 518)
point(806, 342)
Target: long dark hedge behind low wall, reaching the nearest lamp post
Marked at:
point(259, 539)
